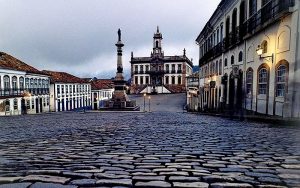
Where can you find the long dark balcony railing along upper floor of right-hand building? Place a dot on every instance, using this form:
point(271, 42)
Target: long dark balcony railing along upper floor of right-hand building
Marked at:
point(268, 13)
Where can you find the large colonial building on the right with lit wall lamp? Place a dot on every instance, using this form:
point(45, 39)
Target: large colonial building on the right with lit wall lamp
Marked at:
point(249, 58)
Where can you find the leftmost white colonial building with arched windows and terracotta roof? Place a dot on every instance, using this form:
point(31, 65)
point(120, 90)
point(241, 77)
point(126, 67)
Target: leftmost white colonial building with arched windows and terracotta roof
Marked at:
point(23, 88)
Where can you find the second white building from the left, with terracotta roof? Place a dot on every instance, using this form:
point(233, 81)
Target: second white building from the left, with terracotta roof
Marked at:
point(68, 92)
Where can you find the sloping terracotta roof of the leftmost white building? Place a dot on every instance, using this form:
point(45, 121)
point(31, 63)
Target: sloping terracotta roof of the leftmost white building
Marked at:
point(9, 62)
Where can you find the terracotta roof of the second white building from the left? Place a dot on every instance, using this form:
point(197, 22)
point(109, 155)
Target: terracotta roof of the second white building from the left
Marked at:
point(63, 77)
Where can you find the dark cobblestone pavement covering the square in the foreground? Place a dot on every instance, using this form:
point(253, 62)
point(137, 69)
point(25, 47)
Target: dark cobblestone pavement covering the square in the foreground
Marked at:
point(159, 149)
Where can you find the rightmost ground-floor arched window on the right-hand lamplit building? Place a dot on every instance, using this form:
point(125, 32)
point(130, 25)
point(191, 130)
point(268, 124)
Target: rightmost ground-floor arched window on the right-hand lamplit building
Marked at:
point(281, 80)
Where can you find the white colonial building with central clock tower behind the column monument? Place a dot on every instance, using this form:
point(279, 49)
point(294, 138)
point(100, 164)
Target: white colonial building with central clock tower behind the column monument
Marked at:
point(159, 73)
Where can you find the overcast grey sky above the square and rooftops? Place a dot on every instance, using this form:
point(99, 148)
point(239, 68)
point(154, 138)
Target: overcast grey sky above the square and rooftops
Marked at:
point(78, 36)
